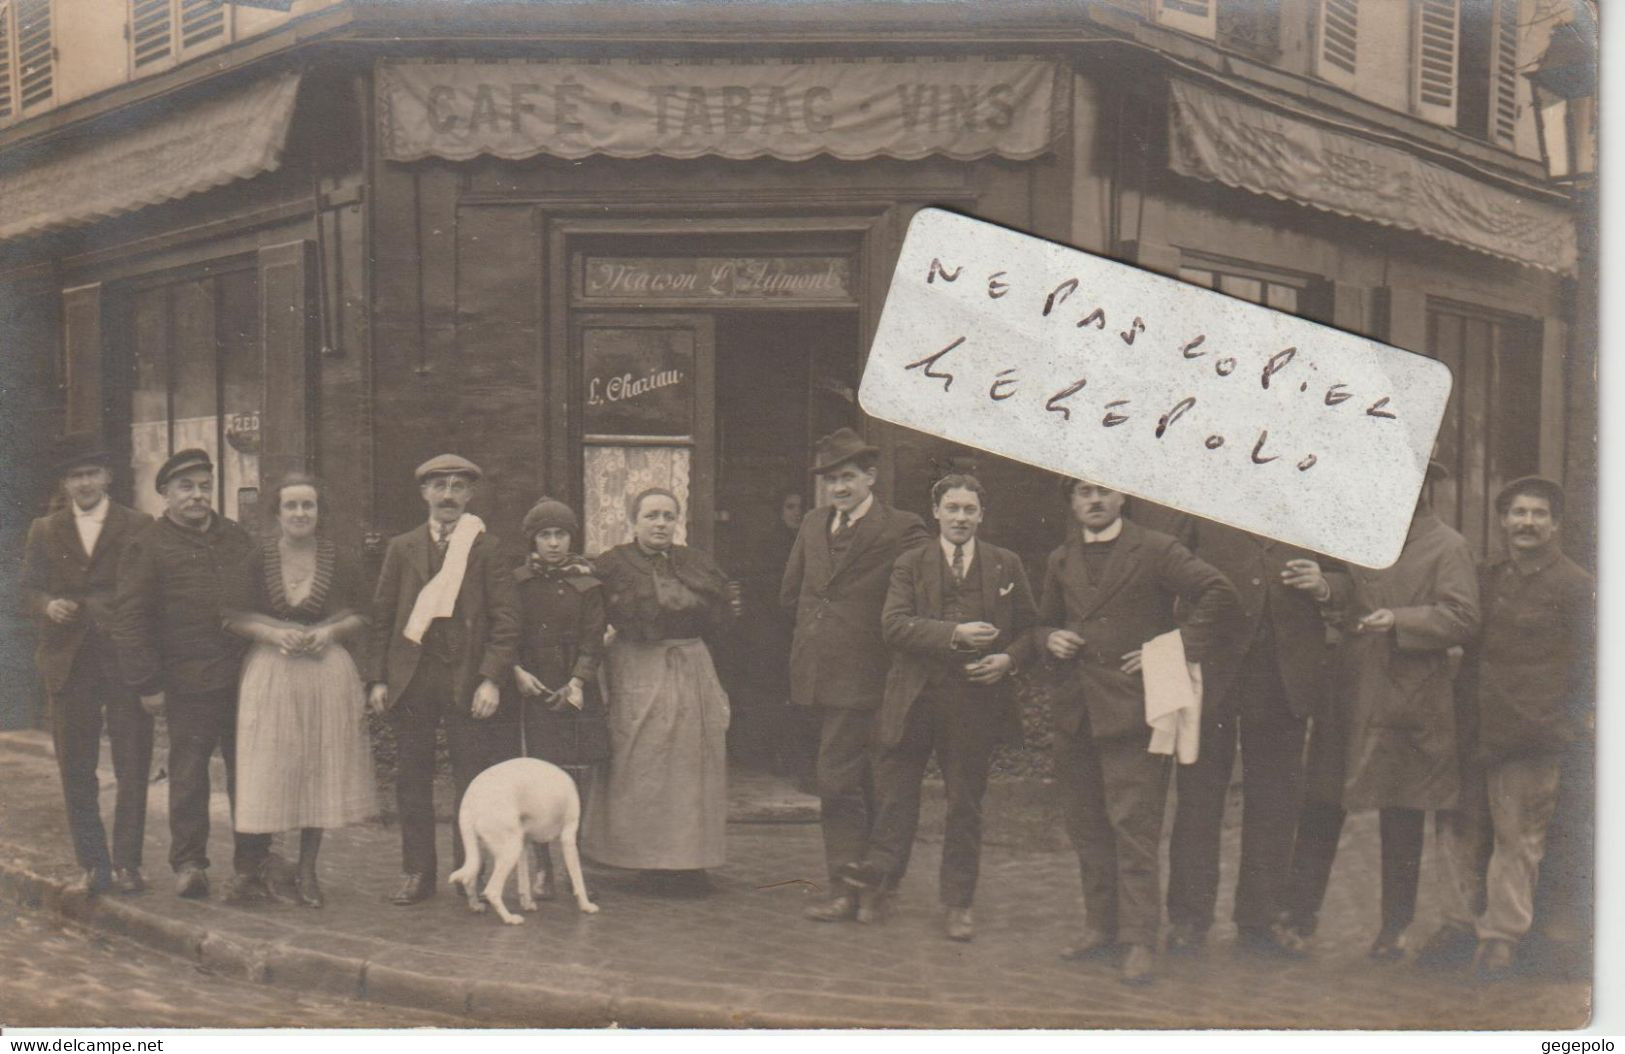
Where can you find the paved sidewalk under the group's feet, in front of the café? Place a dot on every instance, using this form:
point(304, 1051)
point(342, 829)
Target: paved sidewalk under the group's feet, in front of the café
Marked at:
point(743, 957)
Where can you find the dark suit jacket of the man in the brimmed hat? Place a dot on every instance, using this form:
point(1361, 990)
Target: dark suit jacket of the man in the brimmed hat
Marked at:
point(838, 657)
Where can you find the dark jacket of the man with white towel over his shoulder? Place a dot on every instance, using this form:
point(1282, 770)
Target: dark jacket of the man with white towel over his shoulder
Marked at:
point(485, 618)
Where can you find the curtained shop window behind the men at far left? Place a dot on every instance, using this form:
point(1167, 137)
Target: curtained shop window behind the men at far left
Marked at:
point(197, 381)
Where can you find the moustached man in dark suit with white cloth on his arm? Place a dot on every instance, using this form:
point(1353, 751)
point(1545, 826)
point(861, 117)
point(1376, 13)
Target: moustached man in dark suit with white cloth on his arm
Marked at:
point(1107, 592)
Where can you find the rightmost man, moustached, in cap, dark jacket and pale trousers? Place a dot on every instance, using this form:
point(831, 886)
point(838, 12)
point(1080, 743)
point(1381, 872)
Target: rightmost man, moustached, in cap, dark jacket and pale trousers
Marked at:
point(1528, 689)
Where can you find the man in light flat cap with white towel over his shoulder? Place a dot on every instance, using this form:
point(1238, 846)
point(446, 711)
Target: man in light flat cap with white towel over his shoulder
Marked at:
point(444, 636)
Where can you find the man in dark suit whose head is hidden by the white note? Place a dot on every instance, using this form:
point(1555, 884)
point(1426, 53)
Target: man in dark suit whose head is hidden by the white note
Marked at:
point(1262, 689)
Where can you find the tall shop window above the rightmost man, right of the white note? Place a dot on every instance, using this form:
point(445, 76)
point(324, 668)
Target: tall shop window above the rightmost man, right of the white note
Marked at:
point(1491, 433)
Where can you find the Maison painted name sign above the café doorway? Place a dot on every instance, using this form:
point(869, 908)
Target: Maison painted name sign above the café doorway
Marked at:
point(675, 279)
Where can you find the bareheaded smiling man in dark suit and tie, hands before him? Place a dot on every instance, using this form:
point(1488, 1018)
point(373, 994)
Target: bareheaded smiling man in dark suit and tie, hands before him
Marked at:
point(951, 616)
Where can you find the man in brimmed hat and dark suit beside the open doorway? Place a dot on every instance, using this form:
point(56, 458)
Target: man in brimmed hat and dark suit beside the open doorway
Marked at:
point(836, 584)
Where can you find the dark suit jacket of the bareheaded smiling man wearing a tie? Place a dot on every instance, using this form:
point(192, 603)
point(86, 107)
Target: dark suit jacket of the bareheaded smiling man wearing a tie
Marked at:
point(922, 639)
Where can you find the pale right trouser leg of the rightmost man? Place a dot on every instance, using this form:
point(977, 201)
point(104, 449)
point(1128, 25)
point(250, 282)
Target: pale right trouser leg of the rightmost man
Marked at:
point(1523, 800)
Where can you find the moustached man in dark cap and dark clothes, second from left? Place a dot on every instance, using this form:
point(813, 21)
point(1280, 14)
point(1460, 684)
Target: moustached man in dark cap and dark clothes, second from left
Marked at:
point(176, 654)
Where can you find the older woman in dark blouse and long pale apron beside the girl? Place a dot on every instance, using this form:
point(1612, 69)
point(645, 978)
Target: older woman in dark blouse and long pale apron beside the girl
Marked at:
point(665, 798)
